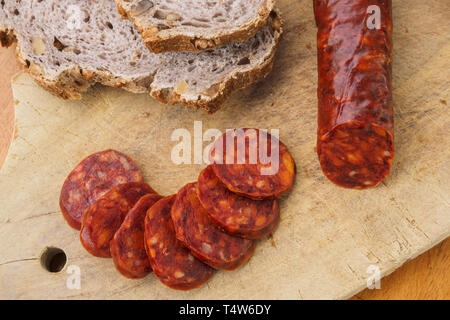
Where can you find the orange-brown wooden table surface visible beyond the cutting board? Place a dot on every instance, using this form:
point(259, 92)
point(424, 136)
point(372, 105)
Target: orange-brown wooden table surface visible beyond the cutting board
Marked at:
point(425, 277)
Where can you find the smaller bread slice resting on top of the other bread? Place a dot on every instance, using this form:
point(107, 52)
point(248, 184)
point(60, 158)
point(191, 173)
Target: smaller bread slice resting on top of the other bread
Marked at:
point(195, 25)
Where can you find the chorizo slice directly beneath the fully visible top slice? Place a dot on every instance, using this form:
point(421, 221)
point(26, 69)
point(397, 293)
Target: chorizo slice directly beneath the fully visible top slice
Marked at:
point(237, 215)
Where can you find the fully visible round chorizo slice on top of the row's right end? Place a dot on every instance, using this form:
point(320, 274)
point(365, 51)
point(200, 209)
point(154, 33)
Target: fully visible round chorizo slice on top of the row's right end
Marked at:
point(253, 163)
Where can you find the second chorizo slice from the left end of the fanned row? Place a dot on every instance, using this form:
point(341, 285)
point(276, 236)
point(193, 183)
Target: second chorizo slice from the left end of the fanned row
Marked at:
point(103, 218)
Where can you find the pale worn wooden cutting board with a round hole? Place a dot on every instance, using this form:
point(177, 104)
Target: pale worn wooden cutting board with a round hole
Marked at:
point(328, 238)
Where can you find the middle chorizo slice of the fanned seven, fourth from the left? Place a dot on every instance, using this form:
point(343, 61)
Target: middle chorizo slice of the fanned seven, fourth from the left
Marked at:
point(172, 262)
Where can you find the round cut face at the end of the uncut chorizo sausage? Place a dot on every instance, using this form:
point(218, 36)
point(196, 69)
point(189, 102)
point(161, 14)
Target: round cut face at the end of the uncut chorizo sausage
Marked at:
point(356, 156)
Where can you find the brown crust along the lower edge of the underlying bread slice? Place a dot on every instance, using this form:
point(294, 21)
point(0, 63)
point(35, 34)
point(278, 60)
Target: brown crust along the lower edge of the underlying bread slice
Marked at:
point(71, 83)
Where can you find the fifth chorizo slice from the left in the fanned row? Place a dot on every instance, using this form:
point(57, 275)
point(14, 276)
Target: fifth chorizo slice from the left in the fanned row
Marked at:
point(207, 242)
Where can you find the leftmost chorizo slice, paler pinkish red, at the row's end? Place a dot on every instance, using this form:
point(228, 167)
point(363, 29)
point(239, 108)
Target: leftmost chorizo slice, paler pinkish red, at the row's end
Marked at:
point(93, 177)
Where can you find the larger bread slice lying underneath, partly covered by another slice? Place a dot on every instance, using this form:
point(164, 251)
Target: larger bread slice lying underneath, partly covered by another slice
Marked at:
point(68, 46)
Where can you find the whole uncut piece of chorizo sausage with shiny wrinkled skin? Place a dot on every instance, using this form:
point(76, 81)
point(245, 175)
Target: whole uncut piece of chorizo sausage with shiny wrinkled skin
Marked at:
point(355, 128)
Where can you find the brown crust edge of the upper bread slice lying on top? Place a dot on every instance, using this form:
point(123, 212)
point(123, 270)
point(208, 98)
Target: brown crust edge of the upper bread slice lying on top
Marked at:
point(170, 40)
